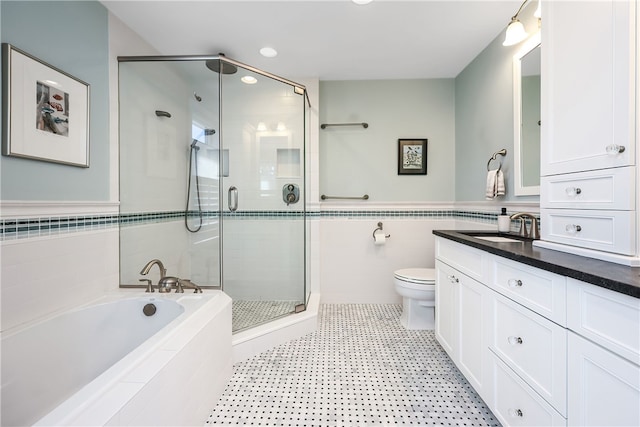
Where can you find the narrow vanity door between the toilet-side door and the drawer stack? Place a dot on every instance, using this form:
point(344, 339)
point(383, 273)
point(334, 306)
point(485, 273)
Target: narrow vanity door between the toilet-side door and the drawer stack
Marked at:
point(472, 321)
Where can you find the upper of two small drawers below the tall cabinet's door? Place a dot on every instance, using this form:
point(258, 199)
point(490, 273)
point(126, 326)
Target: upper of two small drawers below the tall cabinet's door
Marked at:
point(609, 189)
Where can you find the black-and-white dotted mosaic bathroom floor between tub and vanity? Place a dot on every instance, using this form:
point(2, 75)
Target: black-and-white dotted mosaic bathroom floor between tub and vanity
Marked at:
point(360, 368)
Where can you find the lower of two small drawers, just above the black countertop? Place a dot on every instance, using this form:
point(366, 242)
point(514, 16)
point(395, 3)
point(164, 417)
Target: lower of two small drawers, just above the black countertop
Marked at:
point(609, 231)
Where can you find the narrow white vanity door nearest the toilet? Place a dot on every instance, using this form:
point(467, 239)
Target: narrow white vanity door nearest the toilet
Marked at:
point(447, 308)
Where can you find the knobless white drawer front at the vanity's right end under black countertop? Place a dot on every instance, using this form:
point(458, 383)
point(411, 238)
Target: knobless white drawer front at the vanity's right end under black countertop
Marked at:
point(608, 318)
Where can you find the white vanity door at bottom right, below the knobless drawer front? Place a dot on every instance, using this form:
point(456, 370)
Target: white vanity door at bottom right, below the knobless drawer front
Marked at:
point(604, 389)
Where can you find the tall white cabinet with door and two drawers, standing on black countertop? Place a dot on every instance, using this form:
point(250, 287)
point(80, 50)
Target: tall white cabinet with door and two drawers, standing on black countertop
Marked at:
point(588, 146)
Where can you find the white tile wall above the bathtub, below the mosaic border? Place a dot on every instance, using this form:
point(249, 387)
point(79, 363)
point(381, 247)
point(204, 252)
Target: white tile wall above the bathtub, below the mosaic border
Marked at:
point(45, 275)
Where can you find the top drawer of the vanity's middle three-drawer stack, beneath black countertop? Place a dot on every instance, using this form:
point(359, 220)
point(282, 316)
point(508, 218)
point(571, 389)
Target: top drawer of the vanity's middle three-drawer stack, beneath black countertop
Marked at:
point(536, 289)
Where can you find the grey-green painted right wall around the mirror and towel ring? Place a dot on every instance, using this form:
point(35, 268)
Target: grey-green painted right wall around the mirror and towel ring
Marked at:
point(484, 118)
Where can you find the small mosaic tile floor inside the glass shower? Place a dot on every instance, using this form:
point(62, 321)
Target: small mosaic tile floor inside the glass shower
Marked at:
point(246, 314)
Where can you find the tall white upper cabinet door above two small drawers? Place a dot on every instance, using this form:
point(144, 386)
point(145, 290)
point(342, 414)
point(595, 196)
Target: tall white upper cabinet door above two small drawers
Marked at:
point(588, 62)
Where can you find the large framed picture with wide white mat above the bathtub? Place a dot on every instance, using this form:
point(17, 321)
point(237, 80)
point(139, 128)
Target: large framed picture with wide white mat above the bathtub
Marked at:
point(45, 111)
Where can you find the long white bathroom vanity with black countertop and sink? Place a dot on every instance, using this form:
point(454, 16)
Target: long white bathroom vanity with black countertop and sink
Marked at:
point(545, 337)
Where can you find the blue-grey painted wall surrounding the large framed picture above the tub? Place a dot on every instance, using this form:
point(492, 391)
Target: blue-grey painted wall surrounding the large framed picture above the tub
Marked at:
point(72, 36)
